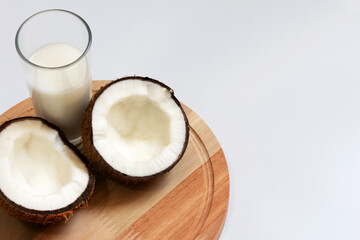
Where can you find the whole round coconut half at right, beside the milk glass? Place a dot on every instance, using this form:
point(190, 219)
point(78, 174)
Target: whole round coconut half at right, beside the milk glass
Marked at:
point(134, 129)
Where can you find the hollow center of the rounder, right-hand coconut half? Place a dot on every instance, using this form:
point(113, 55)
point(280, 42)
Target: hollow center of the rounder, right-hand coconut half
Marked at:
point(139, 127)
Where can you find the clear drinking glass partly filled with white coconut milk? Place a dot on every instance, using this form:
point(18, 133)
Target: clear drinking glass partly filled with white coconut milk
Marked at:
point(54, 47)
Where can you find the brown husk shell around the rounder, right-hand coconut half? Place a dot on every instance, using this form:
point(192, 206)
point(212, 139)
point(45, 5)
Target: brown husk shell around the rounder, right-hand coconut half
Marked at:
point(96, 160)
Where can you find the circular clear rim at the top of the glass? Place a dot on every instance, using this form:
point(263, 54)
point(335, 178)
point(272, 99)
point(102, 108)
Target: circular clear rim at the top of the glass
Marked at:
point(87, 49)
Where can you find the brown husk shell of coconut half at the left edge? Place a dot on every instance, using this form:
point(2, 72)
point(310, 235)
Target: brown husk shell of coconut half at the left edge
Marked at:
point(52, 216)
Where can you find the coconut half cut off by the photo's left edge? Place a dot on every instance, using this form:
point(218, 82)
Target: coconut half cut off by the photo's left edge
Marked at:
point(43, 178)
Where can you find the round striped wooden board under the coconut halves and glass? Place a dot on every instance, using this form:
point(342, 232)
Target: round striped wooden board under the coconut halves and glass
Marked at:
point(189, 202)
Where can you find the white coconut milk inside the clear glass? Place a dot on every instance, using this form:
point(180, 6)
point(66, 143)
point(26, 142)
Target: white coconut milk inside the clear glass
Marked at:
point(60, 95)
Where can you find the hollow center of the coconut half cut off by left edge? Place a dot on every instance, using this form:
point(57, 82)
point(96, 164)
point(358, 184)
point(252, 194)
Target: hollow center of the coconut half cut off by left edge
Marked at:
point(37, 166)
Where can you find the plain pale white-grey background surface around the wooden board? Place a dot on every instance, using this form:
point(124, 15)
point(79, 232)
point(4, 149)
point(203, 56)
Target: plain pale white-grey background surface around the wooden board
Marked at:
point(277, 81)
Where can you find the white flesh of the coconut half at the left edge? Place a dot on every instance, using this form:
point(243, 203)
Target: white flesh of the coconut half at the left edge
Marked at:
point(38, 171)
